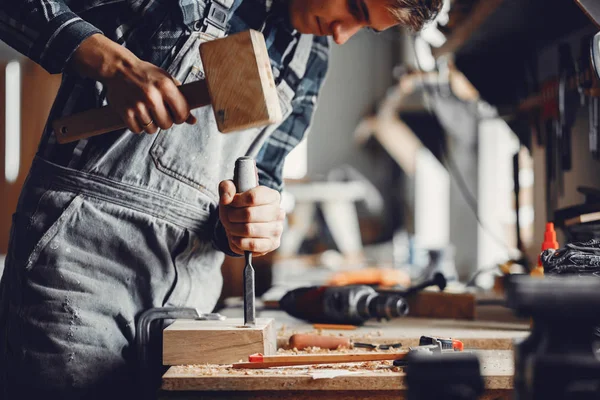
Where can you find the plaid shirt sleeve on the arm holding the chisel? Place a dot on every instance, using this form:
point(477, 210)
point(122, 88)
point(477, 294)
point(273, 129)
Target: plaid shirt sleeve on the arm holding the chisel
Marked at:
point(291, 131)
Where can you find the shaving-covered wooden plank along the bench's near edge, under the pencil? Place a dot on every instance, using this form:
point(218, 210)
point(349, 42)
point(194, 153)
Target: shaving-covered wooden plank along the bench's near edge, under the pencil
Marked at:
point(496, 368)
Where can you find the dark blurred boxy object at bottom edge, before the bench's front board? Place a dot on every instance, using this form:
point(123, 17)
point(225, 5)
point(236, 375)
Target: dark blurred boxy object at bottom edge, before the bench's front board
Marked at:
point(443, 376)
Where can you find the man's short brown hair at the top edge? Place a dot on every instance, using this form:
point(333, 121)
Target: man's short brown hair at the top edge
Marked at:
point(414, 14)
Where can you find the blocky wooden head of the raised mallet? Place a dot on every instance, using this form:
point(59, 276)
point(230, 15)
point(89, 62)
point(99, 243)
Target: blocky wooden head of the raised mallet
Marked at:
point(240, 81)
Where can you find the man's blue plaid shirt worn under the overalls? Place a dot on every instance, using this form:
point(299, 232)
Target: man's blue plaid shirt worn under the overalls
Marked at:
point(49, 31)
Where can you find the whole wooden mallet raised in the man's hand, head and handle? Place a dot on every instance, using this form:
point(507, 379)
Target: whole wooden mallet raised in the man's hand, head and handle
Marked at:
point(239, 85)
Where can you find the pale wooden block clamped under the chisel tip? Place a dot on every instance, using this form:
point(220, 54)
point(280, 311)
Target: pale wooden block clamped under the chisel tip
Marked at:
point(188, 342)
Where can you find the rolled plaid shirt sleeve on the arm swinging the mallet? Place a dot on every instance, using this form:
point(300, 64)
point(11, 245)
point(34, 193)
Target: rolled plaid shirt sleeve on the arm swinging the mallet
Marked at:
point(46, 31)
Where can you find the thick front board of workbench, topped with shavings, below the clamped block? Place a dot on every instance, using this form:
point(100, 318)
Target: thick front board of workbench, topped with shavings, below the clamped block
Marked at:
point(196, 383)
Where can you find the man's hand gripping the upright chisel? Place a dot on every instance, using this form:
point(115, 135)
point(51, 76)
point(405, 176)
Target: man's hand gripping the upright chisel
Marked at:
point(253, 220)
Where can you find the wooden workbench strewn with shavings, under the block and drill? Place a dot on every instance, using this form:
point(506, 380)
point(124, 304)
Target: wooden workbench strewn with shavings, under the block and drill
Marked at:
point(492, 341)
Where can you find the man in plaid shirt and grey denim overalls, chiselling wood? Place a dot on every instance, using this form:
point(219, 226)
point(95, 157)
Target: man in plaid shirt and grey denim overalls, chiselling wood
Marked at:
point(114, 225)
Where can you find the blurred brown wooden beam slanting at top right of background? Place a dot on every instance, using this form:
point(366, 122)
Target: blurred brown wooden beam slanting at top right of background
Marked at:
point(481, 12)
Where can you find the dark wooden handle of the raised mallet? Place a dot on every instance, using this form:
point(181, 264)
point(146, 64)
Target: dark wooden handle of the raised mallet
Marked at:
point(102, 120)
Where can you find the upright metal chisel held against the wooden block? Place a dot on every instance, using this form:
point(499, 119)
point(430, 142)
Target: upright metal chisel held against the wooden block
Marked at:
point(245, 177)
